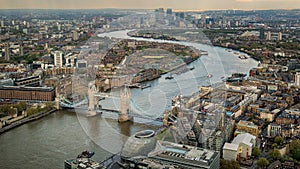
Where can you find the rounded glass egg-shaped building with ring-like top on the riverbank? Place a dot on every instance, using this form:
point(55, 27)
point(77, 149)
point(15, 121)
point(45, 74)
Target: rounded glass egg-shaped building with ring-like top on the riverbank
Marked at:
point(140, 144)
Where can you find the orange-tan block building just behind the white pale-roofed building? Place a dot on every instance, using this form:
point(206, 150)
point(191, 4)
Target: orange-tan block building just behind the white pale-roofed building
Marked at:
point(246, 127)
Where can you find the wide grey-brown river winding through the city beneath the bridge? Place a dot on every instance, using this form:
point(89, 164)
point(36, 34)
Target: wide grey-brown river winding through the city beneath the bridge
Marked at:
point(47, 142)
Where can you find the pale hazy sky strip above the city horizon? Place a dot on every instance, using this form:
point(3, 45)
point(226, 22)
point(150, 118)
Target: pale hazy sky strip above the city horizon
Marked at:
point(151, 4)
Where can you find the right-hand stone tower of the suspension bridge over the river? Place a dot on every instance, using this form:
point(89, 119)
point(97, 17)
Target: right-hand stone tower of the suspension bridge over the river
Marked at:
point(125, 101)
